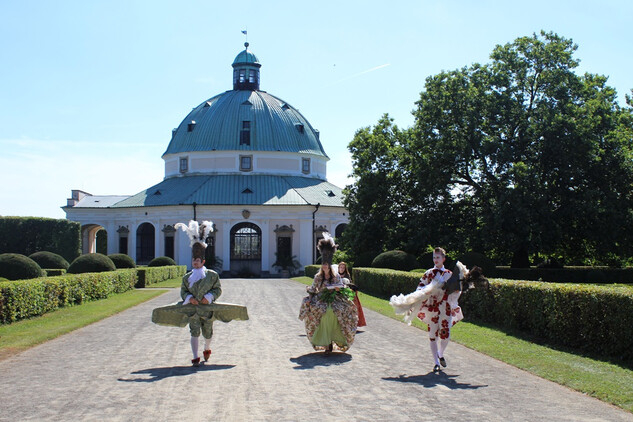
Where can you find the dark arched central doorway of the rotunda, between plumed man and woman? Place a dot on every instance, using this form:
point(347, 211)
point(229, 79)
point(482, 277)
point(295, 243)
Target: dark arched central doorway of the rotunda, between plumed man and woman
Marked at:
point(246, 250)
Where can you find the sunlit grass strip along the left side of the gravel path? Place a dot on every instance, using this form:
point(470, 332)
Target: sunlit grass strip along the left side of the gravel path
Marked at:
point(21, 335)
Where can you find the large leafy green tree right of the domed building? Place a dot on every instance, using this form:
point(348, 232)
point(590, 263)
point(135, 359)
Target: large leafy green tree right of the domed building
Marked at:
point(515, 158)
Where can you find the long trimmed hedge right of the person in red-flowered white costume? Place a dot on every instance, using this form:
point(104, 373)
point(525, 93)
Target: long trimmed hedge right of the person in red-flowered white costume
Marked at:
point(589, 318)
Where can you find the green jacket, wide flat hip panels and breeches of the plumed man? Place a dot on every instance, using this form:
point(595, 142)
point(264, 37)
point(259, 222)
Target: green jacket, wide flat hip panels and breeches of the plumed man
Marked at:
point(199, 317)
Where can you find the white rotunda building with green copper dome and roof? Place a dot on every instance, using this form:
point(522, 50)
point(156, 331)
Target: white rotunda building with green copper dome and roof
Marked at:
point(244, 159)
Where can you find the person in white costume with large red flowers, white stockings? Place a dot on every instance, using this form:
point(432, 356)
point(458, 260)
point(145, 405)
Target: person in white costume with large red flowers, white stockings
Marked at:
point(440, 311)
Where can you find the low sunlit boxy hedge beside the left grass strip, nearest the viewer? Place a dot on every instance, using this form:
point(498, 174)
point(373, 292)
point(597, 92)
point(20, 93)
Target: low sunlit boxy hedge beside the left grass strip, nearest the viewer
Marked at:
point(28, 298)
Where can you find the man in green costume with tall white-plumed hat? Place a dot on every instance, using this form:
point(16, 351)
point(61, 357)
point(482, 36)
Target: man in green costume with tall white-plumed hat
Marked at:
point(199, 290)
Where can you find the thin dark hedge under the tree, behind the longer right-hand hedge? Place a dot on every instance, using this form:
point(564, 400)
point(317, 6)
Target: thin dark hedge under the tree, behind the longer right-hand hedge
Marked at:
point(595, 275)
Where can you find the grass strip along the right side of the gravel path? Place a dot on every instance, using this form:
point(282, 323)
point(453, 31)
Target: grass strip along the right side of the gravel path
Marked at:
point(606, 381)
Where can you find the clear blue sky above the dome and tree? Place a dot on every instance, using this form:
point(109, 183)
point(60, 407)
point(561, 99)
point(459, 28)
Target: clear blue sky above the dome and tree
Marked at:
point(90, 90)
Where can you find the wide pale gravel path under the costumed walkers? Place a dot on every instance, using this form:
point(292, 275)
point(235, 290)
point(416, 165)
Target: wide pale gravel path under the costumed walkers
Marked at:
point(125, 368)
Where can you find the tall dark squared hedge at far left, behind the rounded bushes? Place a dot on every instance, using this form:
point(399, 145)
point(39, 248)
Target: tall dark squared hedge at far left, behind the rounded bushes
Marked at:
point(27, 235)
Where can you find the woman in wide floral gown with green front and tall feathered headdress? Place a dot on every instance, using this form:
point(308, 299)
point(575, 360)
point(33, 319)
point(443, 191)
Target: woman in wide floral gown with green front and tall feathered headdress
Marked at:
point(329, 312)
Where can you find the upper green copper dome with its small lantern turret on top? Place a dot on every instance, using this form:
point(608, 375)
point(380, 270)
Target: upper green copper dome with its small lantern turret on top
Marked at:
point(245, 119)
